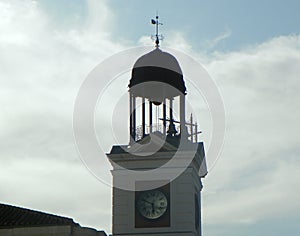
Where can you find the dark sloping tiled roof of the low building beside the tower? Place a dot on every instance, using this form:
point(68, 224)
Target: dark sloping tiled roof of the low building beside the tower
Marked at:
point(12, 216)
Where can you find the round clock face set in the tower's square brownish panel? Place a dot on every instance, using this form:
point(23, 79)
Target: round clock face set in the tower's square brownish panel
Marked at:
point(152, 204)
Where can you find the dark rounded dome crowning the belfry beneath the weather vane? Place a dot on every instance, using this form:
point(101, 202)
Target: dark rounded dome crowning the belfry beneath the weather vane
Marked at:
point(157, 66)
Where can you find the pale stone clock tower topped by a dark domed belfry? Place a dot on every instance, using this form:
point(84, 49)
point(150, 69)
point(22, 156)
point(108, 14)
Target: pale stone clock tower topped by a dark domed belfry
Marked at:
point(157, 175)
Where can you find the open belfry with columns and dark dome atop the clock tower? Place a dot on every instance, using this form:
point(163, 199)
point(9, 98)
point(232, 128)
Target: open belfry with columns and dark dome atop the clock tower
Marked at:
point(157, 80)
